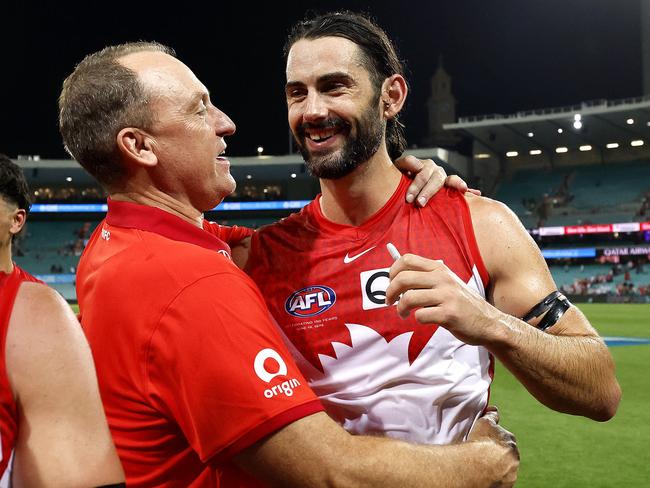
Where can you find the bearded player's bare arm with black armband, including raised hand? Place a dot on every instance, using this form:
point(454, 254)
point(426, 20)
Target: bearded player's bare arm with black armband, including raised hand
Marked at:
point(568, 367)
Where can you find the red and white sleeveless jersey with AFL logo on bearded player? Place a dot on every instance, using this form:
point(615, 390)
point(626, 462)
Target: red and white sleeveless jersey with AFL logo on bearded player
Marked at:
point(375, 372)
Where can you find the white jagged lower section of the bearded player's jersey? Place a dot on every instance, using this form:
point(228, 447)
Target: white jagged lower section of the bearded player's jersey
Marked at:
point(435, 400)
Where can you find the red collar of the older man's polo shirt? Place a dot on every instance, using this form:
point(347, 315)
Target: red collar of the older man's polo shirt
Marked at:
point(151, 219)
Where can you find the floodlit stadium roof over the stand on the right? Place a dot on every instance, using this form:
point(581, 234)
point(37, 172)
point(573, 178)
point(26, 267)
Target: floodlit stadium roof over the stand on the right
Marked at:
point(592, 124)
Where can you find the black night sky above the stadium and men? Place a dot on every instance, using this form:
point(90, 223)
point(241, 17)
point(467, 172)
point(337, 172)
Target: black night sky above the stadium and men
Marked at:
point(503, 56)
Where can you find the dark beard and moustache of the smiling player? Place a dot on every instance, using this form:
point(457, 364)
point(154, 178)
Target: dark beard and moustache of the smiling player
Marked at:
point(356, 150)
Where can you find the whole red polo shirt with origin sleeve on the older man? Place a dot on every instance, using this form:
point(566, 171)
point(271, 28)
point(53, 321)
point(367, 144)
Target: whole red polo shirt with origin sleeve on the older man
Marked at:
point(191, 369)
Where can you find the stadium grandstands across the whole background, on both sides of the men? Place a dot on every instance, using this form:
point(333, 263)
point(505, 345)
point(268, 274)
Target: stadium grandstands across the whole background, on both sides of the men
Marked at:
point(578, 177)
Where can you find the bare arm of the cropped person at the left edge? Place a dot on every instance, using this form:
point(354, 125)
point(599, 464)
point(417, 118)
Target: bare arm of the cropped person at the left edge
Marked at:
point(63, 438)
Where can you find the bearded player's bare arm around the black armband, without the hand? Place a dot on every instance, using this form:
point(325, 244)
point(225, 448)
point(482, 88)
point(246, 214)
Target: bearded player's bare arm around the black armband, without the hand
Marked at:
point(568, 367)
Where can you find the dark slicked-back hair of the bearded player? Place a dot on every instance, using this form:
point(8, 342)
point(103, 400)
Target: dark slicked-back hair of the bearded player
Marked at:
point(378, 55)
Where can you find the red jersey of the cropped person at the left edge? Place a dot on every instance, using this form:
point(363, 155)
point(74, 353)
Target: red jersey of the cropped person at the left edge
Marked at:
point(9, 284)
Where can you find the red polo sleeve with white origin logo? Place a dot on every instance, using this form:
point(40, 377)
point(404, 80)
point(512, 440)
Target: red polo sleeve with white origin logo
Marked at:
point(219, 367)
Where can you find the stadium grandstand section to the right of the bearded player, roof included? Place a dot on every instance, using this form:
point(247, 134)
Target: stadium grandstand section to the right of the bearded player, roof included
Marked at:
point(578, 177)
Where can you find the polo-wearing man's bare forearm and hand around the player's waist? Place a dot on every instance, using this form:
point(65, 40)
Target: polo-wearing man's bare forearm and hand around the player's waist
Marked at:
point(317, 452)
